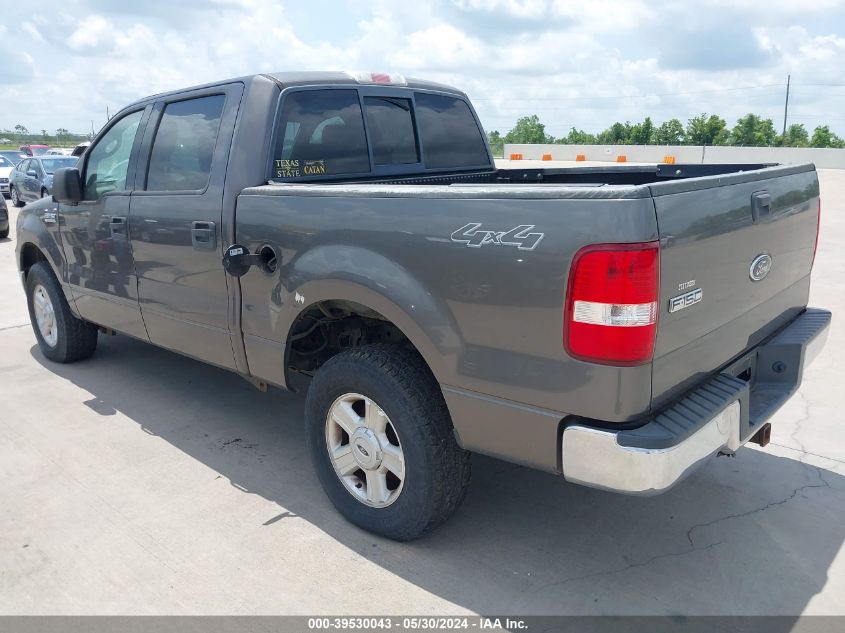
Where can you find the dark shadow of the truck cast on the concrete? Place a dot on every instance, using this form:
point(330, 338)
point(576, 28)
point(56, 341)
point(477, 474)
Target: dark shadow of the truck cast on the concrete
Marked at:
point(754, 534)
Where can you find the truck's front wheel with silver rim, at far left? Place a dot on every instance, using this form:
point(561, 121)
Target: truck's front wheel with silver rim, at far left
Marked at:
point(69, 339)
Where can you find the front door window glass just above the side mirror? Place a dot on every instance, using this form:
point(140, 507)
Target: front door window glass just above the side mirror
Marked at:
point(108, 160)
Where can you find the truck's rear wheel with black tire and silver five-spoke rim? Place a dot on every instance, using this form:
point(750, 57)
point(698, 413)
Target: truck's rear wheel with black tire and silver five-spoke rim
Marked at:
point(436, 470)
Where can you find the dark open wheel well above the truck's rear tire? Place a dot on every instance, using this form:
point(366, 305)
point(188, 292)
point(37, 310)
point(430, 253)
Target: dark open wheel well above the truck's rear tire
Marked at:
point(328, 327)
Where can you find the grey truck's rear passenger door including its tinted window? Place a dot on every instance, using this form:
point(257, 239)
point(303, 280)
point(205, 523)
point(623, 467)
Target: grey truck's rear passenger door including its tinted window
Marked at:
point(175, 223)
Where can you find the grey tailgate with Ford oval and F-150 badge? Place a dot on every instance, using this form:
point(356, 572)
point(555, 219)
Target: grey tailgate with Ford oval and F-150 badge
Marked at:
point(713, 231)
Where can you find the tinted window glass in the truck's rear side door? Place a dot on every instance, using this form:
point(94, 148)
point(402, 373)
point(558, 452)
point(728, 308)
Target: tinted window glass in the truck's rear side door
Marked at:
point(184, 144)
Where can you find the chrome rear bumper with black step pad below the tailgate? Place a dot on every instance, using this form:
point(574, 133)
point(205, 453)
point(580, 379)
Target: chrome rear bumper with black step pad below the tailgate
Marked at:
point(719, 416)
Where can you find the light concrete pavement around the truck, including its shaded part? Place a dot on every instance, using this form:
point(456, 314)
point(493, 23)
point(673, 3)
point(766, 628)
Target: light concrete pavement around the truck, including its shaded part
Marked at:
point(143, 482)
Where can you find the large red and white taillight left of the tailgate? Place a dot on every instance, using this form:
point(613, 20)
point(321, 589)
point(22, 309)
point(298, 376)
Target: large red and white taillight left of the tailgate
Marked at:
point(611, 303)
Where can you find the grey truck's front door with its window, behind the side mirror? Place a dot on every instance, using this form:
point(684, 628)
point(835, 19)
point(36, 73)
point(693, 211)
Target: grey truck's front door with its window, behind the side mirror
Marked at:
point(95, 235)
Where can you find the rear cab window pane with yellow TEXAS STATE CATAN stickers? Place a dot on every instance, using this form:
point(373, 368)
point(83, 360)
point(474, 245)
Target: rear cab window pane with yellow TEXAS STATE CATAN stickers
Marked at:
point(320, 132)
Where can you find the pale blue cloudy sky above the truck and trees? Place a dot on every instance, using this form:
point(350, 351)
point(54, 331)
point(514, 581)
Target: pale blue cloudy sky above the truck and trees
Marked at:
point(583, 63)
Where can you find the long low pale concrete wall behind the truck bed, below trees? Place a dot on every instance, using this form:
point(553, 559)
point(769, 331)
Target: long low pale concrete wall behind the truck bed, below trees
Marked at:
point(824, 158)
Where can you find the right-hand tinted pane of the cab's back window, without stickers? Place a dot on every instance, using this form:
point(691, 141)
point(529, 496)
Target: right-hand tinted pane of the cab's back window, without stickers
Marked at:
point(449, 134)
